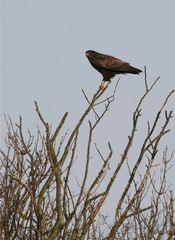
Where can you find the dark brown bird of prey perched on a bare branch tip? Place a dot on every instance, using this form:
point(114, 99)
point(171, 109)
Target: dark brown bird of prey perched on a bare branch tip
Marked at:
point(109, 66)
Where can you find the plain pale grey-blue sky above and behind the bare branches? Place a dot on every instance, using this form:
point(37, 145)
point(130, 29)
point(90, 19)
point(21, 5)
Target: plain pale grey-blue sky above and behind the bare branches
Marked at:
point(43, 44)
